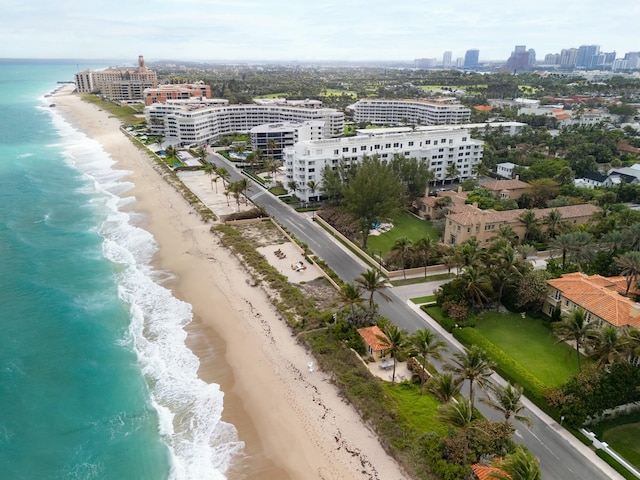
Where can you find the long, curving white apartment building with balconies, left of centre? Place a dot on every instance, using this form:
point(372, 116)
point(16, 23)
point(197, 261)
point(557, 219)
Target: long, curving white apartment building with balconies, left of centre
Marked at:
point(190, 121)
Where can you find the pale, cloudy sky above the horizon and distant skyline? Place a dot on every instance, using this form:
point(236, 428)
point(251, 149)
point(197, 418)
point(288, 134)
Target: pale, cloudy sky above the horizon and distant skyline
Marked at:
point(310, 30)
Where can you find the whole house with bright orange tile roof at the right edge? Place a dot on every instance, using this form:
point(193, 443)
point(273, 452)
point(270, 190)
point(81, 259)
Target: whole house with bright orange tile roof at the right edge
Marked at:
point(598, 296)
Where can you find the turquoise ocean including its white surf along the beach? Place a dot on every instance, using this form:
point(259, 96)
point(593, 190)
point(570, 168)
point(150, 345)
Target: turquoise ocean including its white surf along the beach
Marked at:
point(95, 379)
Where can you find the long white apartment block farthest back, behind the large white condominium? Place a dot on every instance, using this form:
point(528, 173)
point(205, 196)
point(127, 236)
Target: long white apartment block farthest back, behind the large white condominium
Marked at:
point(445, 111)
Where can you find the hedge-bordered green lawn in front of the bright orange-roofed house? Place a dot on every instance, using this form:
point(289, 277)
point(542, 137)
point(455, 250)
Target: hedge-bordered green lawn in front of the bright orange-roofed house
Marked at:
point(531, 344)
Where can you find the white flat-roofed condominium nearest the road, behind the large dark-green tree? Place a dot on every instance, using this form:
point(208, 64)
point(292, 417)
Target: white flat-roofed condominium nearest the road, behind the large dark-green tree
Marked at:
point(438, 148)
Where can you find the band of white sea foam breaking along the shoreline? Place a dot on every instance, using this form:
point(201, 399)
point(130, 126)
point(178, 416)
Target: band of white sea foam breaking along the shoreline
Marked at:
point(189, 410)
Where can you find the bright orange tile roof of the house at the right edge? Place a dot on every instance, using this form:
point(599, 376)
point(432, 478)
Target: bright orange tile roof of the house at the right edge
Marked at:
point(598, 295)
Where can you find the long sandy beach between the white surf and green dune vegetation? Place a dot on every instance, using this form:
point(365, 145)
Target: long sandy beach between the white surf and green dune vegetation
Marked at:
point(289, 416)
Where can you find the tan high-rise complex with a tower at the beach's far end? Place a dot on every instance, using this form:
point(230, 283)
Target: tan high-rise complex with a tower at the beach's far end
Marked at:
point(116, 83)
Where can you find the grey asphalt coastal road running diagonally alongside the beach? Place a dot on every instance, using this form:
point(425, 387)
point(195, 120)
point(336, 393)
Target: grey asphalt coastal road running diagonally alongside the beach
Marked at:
point(562, 456)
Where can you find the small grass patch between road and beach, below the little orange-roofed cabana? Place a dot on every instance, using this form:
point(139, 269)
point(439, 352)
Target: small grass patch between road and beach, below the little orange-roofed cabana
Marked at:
point(416, 410)
